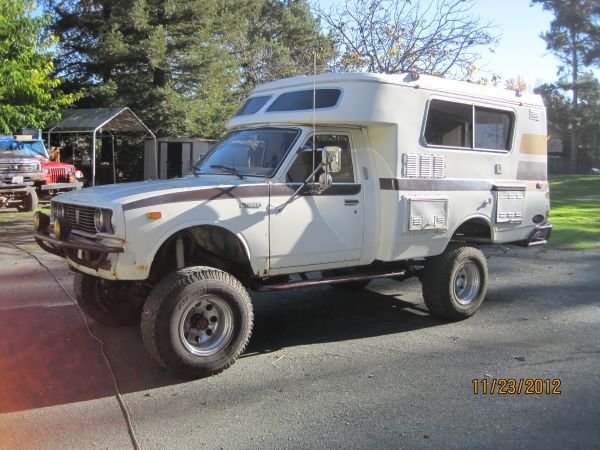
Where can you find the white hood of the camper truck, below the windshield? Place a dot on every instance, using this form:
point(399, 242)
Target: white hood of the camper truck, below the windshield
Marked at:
point(119, 194)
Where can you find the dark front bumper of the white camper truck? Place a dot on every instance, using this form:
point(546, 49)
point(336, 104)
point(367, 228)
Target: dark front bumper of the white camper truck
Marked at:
point(81, 250)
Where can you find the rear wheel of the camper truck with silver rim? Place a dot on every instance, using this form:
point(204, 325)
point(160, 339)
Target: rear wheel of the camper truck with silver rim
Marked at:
point(455, 282)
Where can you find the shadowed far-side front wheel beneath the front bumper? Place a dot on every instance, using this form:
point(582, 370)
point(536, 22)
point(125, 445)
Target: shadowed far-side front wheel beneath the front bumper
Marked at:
point(111, 303)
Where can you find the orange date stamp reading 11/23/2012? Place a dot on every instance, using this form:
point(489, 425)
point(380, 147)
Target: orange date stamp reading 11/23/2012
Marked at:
point(516, 386)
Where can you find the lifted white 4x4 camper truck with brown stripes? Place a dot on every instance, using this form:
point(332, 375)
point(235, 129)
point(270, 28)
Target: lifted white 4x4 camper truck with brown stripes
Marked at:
point(334, 179)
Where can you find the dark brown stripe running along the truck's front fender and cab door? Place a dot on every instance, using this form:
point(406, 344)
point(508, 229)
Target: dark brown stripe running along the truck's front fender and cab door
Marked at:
point(237, 193)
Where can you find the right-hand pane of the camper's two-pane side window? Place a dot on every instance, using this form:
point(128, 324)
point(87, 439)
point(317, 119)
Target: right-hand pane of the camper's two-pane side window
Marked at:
point(492, 129)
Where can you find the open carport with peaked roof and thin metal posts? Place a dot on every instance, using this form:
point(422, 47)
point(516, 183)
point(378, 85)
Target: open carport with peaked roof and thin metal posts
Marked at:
point(99, 121)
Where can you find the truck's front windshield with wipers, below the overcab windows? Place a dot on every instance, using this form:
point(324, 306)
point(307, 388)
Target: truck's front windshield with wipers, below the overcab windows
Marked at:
point(256, 152)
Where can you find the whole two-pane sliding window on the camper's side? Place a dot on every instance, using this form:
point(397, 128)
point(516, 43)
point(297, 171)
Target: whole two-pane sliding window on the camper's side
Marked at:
point(450, 124)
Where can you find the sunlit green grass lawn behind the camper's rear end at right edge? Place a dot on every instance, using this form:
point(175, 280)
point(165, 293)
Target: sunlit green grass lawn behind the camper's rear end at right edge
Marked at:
point(575, 212)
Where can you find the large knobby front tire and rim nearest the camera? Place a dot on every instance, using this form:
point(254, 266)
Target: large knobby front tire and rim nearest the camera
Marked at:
point(197, 321)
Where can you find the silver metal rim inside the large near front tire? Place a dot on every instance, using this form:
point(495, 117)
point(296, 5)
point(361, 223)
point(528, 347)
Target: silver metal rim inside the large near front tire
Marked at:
point(206, 325)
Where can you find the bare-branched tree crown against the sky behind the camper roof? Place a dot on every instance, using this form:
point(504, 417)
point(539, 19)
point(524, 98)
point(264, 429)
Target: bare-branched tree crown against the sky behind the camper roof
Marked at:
point(391, 36)
